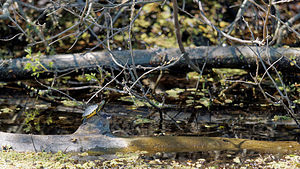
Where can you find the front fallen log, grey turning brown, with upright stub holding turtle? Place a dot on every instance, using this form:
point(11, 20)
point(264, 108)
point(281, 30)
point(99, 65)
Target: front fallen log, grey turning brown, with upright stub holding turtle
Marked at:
point(94, 136)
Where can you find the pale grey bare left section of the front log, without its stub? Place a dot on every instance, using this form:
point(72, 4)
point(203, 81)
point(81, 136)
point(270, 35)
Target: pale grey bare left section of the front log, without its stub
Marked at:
point(55, 143)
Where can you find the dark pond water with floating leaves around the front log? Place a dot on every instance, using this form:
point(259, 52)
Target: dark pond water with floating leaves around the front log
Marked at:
point(242, 113)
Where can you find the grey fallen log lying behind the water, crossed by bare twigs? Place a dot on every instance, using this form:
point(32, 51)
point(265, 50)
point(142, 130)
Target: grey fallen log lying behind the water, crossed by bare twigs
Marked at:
point(215, 57)
